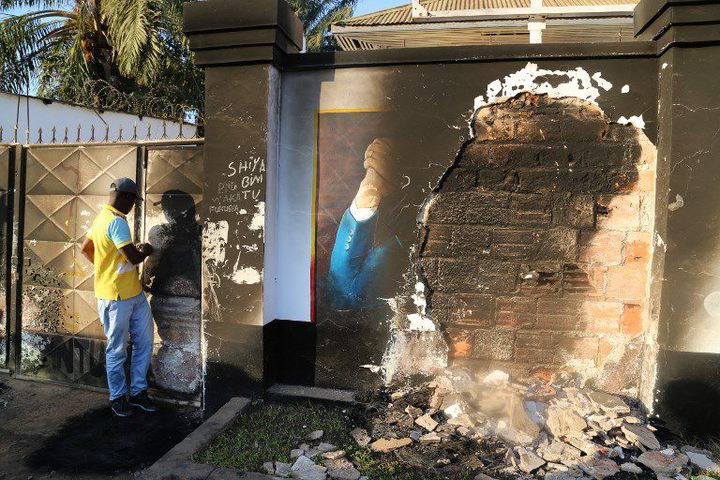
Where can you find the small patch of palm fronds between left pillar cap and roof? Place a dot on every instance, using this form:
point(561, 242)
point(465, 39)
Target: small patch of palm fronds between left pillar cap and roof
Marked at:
point(317, 16)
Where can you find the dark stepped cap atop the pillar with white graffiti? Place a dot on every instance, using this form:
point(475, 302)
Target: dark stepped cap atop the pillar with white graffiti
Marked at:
point(236, 32)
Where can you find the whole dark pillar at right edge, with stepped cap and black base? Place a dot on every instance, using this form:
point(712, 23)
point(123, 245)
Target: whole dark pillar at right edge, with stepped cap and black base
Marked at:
point(687, 34)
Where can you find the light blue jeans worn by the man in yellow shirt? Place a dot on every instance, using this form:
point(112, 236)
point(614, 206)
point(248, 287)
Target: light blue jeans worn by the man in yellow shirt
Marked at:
point(120, 318)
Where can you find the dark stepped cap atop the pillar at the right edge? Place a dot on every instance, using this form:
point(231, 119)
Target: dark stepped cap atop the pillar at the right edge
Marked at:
point(677, 22)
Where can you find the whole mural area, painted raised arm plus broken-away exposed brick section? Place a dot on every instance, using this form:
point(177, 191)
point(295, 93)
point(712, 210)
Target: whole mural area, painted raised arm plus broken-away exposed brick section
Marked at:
point(529, 250)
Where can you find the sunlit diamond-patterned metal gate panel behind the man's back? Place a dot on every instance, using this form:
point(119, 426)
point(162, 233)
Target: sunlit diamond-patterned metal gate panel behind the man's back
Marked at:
point(65, 187)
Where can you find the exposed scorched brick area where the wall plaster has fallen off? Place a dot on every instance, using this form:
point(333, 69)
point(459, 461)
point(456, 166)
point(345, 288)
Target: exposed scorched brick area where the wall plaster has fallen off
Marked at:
point(537, 243)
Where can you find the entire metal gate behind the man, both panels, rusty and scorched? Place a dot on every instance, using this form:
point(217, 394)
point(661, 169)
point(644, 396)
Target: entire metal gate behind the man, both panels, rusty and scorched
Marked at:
point(62, 188)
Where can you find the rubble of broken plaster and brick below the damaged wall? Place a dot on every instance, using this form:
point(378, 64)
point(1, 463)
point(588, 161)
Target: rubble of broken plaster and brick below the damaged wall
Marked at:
point(553, 430)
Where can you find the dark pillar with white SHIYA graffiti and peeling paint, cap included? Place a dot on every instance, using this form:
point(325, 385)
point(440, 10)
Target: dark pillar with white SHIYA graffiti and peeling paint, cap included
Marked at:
point(240, 44)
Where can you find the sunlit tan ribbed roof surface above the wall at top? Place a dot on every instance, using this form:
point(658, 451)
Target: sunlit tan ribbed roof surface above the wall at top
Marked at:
point(403, 14)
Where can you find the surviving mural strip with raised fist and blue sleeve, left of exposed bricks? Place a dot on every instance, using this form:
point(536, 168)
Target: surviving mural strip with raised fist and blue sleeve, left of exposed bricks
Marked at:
point(367, 193)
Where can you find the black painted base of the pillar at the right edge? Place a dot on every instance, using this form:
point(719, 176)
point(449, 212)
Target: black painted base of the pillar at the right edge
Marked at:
point(688, 394)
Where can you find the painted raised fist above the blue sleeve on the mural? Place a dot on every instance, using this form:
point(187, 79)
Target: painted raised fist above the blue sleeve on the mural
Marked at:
point(379, 178)
